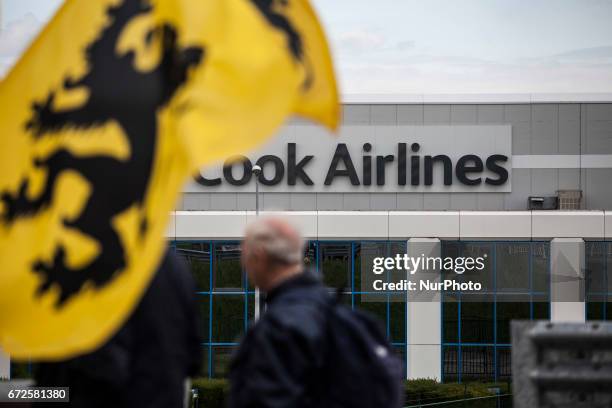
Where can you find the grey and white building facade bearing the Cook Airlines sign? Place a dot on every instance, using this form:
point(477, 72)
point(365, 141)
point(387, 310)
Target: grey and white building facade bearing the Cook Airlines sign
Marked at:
point(477, 161)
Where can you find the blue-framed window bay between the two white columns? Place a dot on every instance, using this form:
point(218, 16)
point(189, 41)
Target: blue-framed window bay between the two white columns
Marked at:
point(475, 333)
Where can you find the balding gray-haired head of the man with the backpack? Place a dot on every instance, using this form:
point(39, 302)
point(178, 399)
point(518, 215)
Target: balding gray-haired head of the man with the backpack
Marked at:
point(272, 250)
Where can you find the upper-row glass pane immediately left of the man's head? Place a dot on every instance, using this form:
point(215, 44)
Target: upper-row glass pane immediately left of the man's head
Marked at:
point(227, 272)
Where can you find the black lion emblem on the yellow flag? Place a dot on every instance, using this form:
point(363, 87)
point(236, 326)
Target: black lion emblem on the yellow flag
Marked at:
point(119, 93)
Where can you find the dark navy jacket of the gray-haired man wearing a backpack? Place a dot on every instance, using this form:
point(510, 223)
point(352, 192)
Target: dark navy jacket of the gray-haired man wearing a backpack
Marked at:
point(279, 362)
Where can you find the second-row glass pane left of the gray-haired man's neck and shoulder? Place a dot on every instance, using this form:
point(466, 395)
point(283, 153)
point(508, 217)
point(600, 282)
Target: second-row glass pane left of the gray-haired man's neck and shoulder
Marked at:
point(228, 318)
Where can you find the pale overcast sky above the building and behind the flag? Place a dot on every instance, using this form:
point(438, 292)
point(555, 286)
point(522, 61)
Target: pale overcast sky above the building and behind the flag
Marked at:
point(433, 46)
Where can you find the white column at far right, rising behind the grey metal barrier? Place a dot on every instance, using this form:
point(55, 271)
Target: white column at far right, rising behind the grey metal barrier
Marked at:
point(567, 280)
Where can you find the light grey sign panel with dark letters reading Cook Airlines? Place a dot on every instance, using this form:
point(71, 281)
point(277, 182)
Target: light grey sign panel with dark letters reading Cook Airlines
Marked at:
point(372, 159)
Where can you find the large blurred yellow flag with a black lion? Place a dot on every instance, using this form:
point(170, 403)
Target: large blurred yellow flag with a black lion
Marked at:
point(104, 117)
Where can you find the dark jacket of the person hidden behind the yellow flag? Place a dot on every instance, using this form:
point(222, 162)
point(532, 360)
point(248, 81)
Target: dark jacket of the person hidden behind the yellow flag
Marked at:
point(146, 362)
